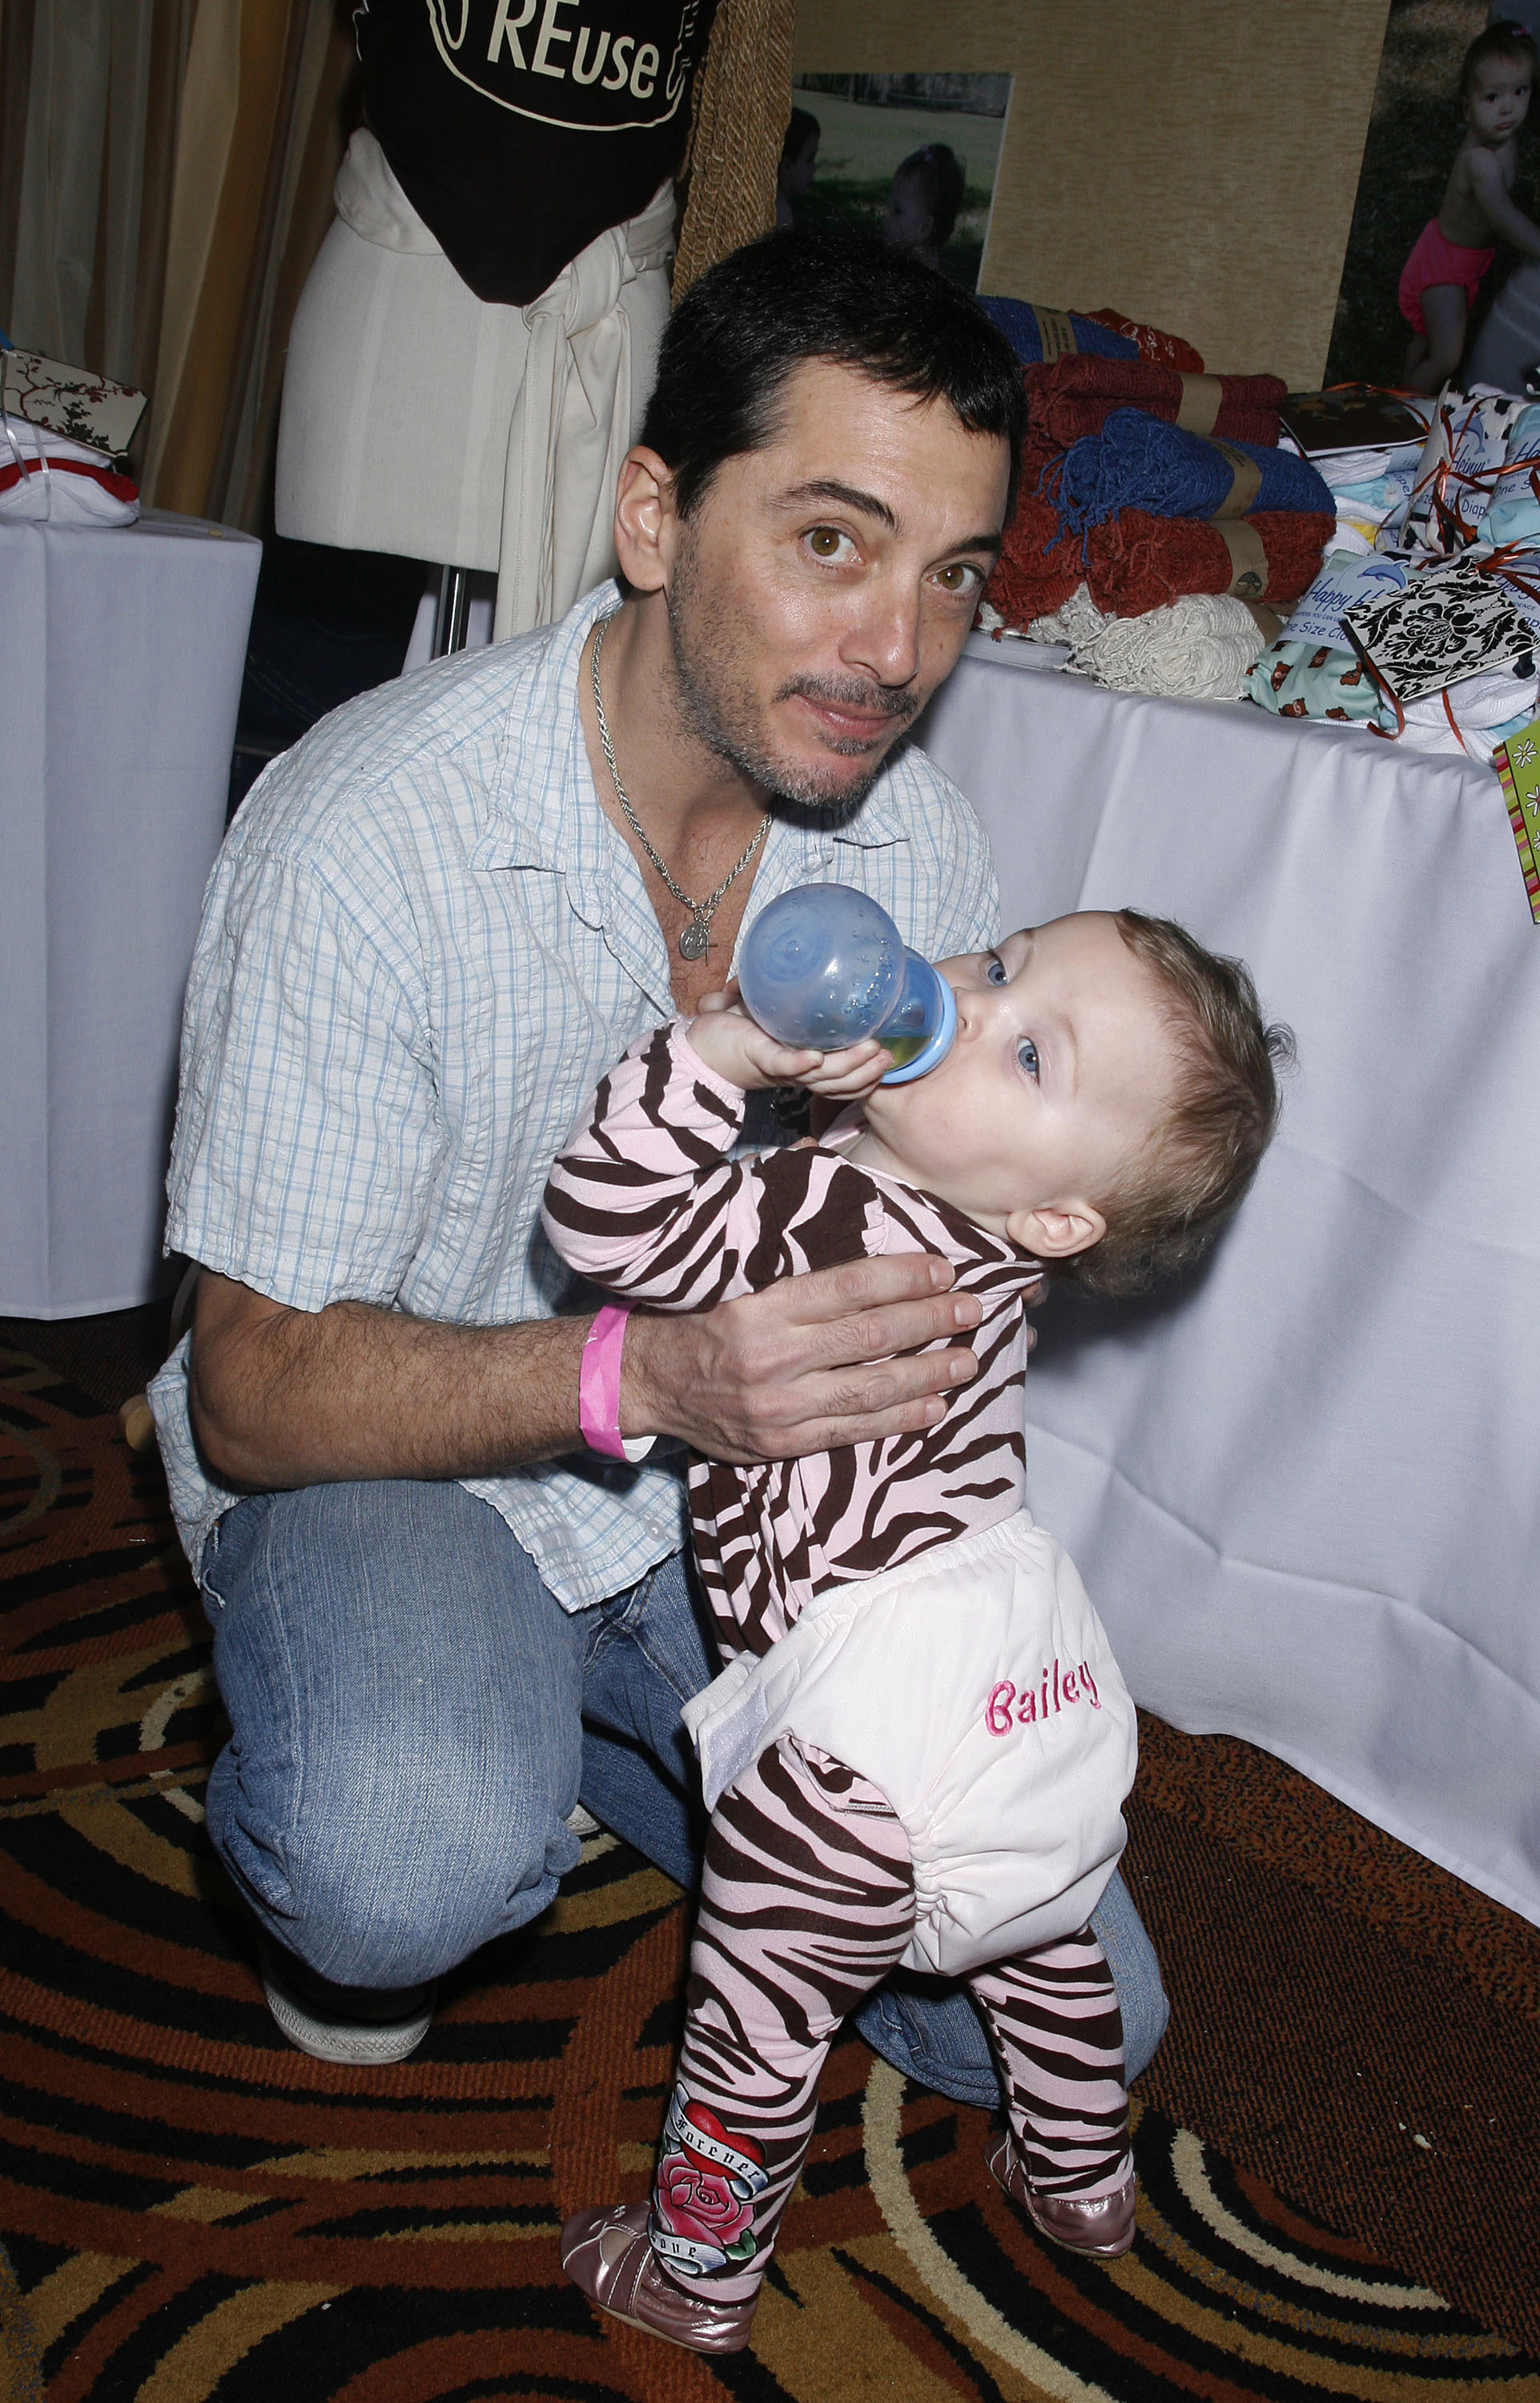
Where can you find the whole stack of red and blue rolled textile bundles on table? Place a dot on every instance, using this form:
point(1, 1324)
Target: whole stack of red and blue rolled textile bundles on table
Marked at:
point(1147, 484)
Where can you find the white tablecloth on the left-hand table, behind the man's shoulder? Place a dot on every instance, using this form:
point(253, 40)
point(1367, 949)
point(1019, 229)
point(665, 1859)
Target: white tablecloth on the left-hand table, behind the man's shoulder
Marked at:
point(121, 660)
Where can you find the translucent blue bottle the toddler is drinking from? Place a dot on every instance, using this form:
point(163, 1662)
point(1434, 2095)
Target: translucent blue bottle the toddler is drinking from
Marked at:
point(825, 967)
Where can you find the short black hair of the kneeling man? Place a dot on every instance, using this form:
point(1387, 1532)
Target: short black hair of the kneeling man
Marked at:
point(760, 314)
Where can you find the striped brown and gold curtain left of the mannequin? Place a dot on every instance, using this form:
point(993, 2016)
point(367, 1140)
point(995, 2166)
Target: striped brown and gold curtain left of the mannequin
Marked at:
point(165, 186)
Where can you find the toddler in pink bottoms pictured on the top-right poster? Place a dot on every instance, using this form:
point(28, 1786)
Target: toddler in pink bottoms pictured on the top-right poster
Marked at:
point(1457, 246)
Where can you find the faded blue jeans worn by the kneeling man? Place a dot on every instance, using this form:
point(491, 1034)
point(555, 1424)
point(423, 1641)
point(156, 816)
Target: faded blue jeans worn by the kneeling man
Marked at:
point(414, 1717)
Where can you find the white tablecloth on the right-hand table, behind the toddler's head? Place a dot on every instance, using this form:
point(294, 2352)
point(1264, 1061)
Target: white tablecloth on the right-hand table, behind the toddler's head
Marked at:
point(1306, 1491)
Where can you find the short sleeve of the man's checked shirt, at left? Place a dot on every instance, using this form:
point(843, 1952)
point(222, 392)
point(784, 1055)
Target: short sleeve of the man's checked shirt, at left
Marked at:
point(309, 1119)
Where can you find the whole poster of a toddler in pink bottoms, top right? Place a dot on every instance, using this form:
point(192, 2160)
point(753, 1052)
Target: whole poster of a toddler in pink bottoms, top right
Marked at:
point(1448, 201)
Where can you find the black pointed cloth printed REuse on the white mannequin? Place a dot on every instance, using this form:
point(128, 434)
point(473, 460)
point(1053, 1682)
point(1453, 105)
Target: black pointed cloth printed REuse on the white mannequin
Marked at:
point(525, 129)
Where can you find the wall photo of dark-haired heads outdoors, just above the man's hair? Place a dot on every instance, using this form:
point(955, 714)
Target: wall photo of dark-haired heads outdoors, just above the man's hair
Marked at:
point(907, 157)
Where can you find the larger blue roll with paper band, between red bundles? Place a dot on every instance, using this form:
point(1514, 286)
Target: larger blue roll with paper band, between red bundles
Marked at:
point(1138, 463)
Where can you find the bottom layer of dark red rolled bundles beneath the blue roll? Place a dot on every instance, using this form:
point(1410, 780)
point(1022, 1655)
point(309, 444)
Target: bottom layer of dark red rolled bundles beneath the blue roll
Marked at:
point(1135, 561)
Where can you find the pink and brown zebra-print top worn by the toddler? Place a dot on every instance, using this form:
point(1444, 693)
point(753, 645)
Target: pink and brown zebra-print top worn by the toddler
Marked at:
point(647, 1205)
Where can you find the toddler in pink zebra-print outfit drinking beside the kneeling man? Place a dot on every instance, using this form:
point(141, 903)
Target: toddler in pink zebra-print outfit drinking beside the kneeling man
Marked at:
point(921, 1746)
